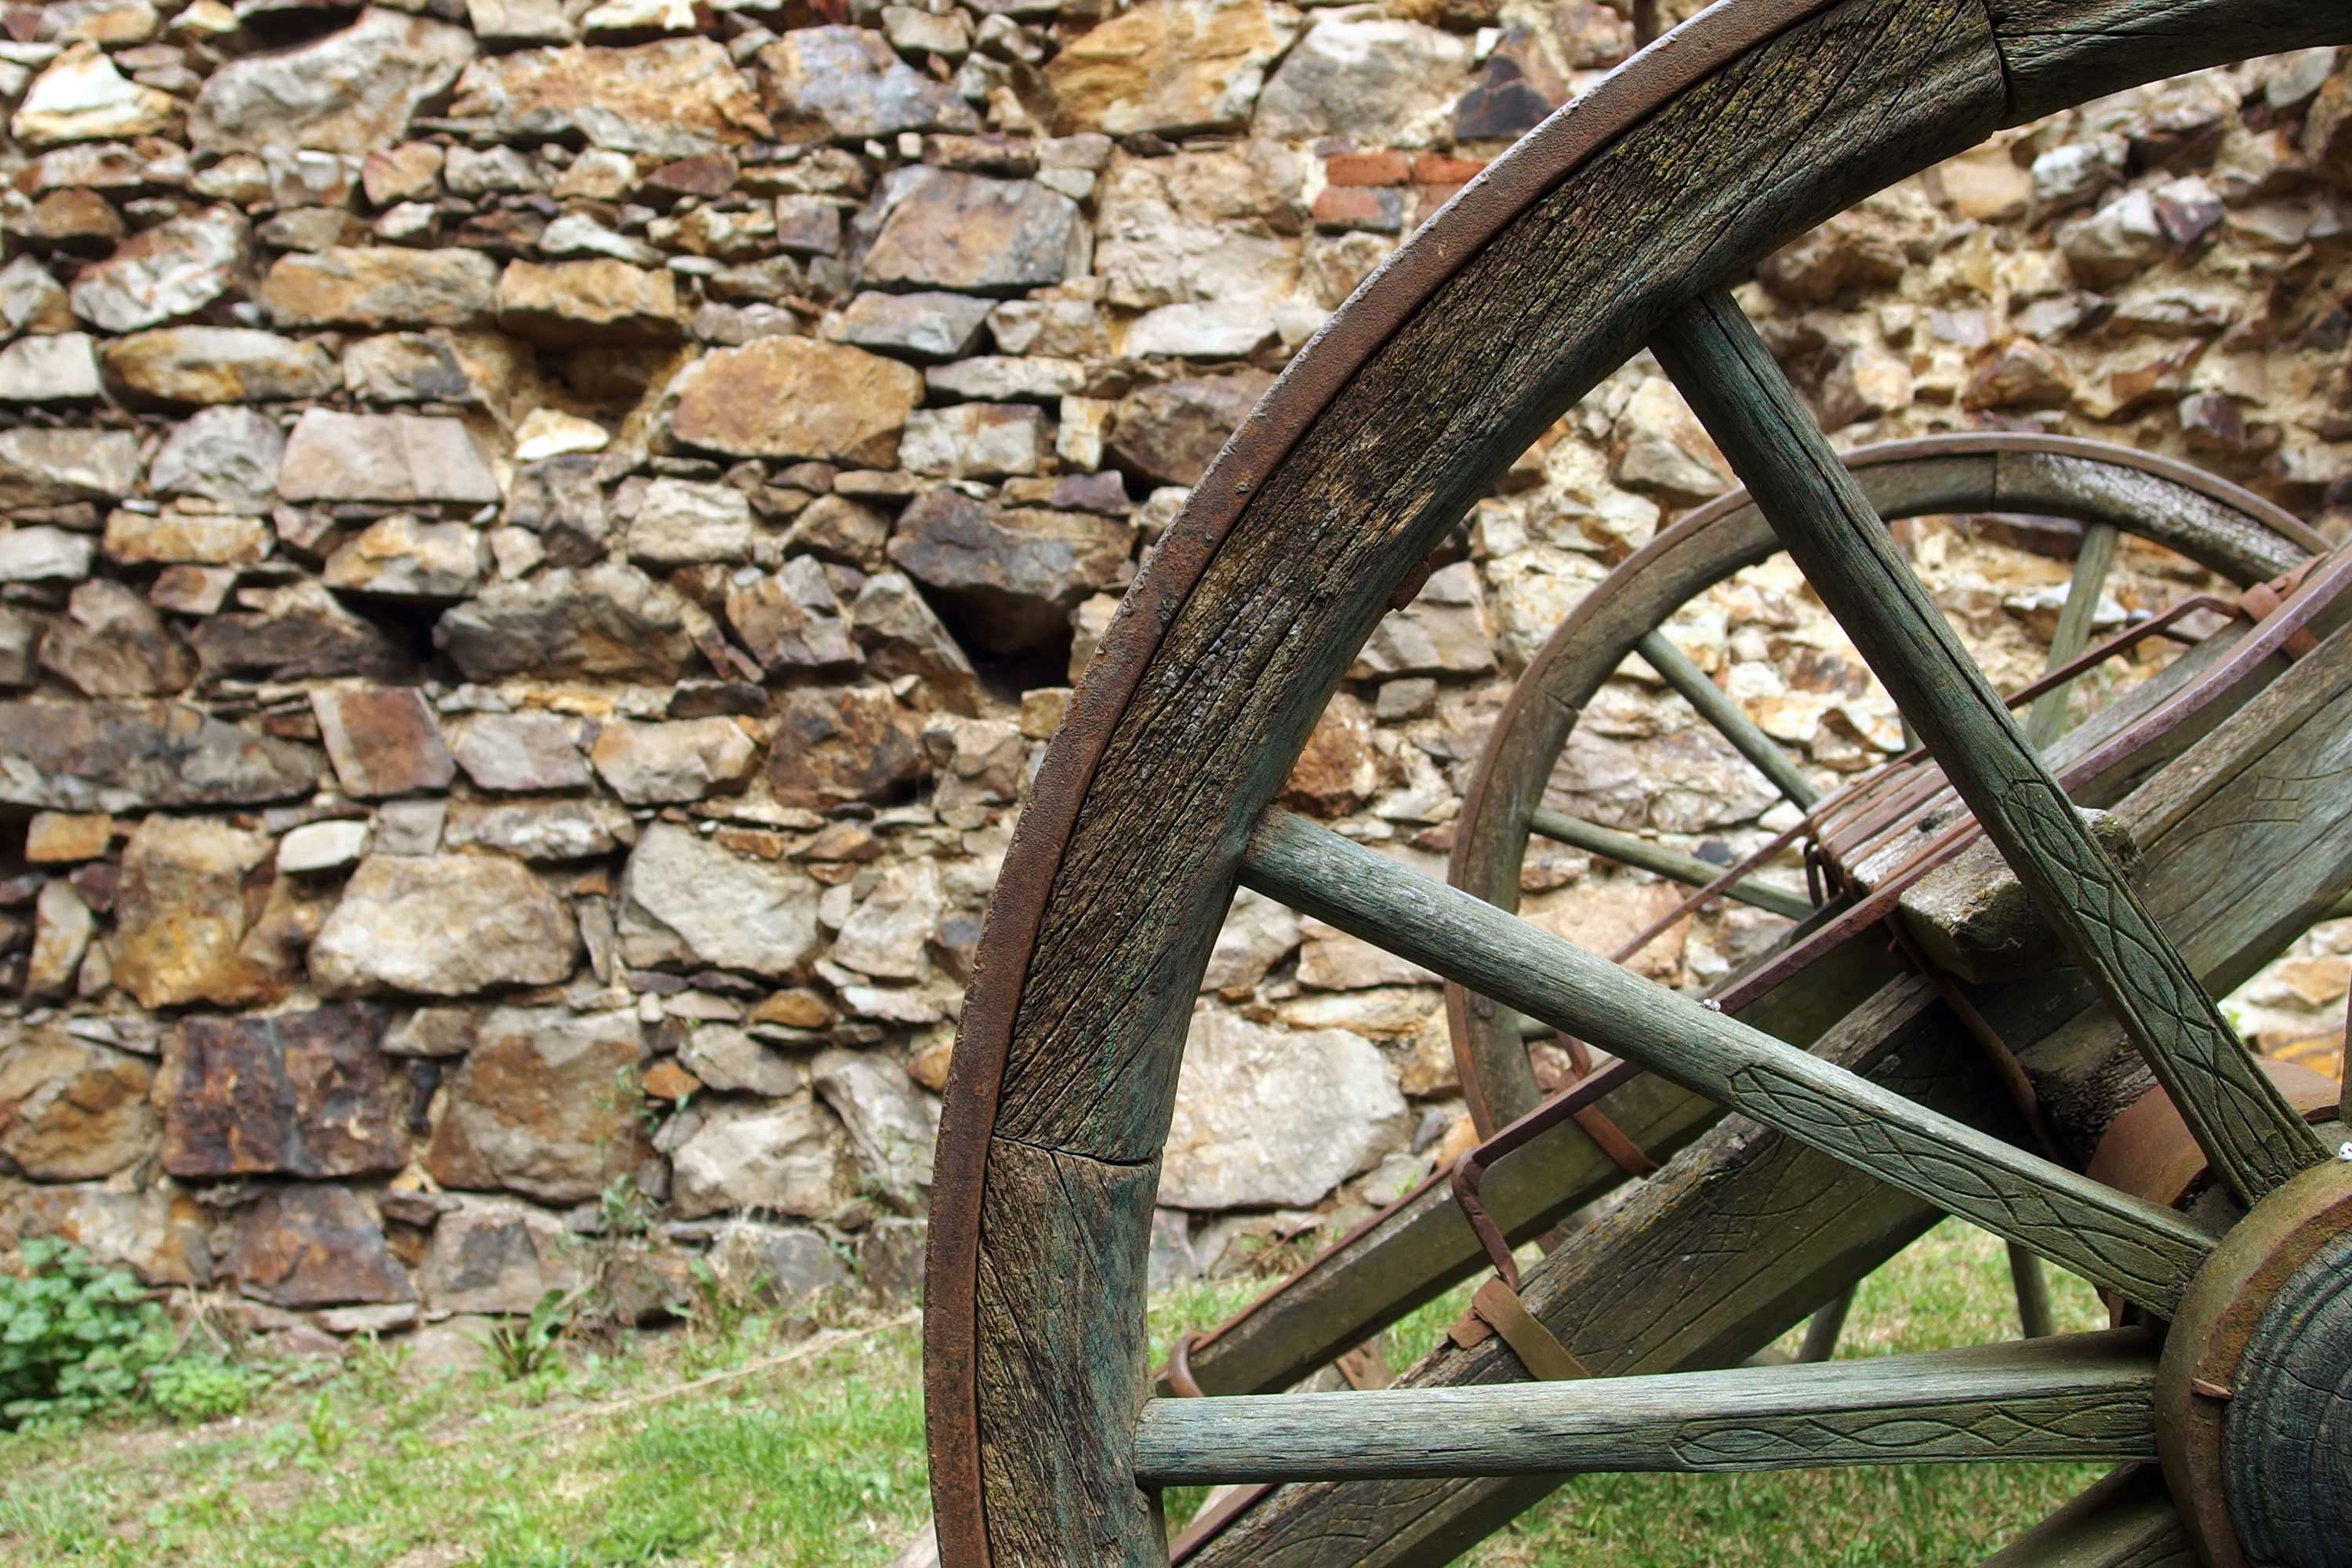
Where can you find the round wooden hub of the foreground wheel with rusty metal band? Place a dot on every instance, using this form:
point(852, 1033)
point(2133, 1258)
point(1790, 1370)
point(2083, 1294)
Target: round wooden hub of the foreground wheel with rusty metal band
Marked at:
point(2254, 1400)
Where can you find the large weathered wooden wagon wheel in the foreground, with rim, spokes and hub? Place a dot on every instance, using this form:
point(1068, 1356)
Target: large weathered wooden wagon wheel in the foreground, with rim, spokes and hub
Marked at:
point(1610, 227)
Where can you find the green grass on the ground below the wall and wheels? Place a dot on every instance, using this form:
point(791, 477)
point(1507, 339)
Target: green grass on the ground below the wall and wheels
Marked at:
point(810, 1454)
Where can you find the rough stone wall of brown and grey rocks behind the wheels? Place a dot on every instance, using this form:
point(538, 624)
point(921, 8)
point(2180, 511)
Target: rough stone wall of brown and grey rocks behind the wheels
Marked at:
point(544, 540)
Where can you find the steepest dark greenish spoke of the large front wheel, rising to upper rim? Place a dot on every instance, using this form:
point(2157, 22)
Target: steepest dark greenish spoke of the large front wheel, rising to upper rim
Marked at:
point(2240, 1120)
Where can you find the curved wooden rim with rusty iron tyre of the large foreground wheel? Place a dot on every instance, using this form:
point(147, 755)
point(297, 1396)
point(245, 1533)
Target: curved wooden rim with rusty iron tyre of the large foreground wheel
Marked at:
point(1055, 1090)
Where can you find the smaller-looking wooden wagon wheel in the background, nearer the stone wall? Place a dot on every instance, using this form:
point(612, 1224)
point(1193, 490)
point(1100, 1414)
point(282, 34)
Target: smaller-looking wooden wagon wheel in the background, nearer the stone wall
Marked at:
point(2109, 490)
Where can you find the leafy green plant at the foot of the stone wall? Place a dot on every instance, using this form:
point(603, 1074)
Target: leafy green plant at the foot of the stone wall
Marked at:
point(74, 1339)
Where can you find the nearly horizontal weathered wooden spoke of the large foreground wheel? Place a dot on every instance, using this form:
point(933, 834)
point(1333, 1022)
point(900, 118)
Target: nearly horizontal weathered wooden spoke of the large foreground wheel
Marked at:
point(2080, 1398)
